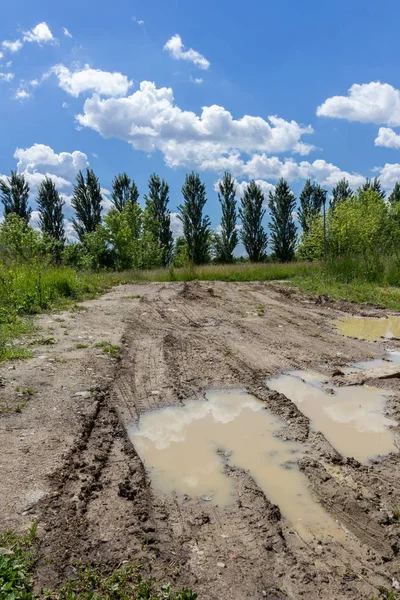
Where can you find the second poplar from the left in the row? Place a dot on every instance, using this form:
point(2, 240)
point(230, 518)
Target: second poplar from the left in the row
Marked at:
point(50, 208)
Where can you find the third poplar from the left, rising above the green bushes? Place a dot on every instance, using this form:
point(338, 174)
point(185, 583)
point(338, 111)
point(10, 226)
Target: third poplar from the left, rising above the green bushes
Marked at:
point(86, 201)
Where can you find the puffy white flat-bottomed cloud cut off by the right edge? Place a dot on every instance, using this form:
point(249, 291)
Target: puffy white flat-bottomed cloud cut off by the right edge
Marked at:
point(373, 102)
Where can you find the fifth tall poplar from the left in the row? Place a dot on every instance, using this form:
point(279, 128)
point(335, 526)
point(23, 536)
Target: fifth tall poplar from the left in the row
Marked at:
point(159, 216)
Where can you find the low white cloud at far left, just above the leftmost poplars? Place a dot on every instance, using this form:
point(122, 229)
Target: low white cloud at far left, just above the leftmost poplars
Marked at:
point(43, 159)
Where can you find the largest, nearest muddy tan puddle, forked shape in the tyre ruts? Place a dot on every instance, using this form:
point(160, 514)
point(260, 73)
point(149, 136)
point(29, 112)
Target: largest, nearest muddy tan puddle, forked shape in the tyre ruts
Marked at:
point(184, 449)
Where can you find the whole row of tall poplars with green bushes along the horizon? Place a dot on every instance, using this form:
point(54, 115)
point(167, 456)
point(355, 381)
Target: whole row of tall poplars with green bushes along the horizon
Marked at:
point(130, 236)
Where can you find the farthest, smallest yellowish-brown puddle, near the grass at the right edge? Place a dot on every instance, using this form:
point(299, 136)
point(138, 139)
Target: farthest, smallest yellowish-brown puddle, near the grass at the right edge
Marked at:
point(369, 328)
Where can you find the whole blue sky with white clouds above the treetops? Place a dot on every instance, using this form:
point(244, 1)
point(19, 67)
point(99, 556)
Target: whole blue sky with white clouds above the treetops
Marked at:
point(264, 89)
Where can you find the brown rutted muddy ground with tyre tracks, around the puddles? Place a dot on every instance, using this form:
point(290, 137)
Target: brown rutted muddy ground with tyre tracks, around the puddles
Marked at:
point(65, 458)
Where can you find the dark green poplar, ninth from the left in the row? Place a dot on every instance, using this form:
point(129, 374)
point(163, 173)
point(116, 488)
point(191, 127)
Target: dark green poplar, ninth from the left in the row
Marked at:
point(282, 203)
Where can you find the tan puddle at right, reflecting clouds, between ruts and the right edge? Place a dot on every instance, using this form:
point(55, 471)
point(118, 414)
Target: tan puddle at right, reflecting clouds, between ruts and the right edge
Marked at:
point(351, 418)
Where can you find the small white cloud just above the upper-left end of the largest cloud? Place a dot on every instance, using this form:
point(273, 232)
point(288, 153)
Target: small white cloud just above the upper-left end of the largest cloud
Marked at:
point(91, 80)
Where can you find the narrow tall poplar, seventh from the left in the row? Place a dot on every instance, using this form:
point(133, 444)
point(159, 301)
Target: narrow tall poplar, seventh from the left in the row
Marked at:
point(226, 241)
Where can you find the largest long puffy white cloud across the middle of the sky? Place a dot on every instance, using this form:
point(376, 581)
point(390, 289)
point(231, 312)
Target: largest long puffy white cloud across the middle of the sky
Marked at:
point(149, 120)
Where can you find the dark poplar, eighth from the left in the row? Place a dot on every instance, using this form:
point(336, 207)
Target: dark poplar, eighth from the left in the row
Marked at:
point(252, 212)
